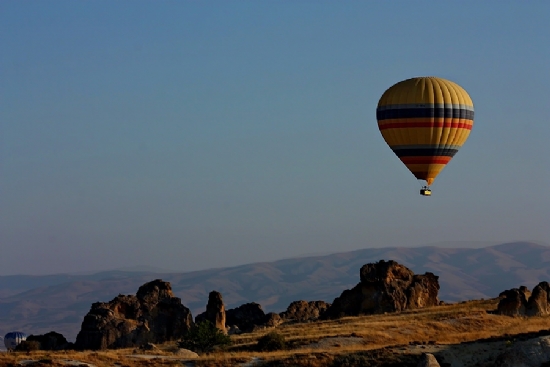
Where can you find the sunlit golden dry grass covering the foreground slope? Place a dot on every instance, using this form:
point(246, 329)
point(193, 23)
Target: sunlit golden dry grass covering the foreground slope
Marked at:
point(448, 324)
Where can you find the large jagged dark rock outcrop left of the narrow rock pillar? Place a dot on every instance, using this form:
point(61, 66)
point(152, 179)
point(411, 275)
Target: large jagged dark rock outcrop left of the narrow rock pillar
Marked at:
point(153, 315)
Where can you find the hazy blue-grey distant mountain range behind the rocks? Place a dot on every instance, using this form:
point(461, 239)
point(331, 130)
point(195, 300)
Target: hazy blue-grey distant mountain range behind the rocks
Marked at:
point(39, 304)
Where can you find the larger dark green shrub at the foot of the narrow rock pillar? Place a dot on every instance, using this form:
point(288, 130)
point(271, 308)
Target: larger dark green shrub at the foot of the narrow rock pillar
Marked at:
point(203, 337)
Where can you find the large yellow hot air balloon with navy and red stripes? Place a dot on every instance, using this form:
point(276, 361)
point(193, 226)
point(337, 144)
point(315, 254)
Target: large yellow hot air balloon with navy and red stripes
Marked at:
point(425, 121)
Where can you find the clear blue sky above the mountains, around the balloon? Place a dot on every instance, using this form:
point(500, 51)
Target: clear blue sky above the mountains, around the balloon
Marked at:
point(188, 135)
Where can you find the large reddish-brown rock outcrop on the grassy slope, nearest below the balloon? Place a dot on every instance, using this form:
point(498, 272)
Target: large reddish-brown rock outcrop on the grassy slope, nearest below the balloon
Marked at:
point(386, 286)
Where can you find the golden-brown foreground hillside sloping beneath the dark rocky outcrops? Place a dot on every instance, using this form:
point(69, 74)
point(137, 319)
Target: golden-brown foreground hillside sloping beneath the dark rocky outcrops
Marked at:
point(465, 334)
